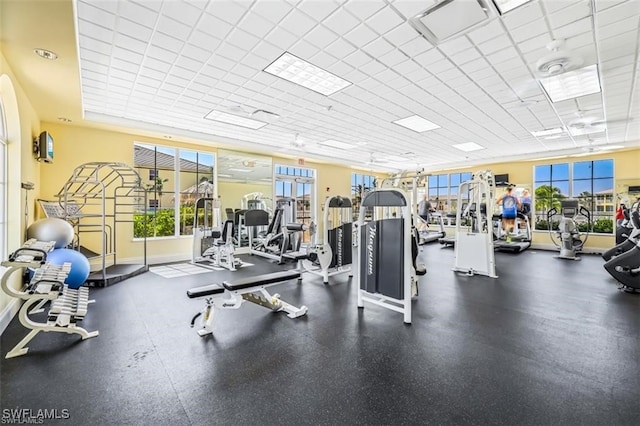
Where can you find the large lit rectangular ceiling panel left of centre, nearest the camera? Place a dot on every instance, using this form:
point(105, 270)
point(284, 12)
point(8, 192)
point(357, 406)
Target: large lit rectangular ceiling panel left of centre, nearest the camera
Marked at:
point(303, 73)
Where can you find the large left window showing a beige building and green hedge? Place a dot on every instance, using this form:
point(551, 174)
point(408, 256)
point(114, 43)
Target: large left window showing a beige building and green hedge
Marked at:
point(177, 178)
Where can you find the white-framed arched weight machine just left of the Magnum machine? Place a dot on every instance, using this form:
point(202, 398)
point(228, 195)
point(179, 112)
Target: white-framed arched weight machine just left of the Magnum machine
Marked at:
point(334, 254)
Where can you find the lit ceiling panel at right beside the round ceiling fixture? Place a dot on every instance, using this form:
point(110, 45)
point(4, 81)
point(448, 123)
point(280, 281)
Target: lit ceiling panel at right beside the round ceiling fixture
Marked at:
point(573, 84)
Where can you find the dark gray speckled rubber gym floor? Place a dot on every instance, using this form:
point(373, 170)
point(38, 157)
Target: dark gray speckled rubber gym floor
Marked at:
point(548, 342)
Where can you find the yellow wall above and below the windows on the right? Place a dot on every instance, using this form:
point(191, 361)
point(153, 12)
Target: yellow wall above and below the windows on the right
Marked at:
point(625, 168)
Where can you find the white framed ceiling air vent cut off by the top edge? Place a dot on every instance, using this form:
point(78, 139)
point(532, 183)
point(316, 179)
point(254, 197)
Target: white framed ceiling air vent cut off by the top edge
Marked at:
point(451, 18)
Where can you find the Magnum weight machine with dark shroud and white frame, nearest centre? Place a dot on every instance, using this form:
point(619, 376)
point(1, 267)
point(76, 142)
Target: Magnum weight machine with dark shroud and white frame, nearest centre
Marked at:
point(386, 268)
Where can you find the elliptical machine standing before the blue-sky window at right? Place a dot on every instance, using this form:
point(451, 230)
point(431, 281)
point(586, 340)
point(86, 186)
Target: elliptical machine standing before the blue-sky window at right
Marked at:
point(568, 238)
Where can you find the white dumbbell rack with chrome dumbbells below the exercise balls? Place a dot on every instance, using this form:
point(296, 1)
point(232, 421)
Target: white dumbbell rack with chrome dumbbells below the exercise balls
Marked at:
point(67, 306)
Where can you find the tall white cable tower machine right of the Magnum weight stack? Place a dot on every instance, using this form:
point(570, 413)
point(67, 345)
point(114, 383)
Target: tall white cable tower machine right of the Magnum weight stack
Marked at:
point(474, 250)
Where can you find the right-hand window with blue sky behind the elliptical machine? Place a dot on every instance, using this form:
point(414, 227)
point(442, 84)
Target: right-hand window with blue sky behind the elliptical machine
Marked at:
point(591, 183)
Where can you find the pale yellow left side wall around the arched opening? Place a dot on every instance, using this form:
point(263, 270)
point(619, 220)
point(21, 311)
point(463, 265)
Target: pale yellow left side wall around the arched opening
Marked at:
point(23, 124)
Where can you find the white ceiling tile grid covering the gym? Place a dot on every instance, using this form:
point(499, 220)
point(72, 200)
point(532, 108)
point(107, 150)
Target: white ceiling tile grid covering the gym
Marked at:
point(173, 61)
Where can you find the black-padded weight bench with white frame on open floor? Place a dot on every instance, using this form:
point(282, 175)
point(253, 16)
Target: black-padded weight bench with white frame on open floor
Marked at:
point(234, 293)
